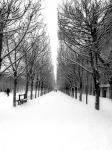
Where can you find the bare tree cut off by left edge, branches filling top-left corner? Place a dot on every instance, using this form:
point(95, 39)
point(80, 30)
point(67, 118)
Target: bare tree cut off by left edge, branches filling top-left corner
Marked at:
point(11, 13)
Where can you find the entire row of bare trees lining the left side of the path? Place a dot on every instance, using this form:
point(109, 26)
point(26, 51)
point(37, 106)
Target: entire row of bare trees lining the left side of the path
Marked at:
point(24, 46)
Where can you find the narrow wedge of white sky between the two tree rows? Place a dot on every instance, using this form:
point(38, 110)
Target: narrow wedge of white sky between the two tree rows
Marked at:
point(50, 13)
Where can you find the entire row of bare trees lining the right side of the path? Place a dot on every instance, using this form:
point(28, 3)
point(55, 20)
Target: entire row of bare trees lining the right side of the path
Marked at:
point(85, 53)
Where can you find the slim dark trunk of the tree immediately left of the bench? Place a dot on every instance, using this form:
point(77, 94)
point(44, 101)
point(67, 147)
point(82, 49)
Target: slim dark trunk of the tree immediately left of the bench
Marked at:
point(15, 89)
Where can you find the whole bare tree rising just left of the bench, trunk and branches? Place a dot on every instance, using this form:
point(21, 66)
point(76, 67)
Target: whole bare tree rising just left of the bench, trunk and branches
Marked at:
point(14, 43)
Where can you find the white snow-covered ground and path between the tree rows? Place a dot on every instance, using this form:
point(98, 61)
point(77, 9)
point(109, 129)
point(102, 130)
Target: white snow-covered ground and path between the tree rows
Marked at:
point(55, 121)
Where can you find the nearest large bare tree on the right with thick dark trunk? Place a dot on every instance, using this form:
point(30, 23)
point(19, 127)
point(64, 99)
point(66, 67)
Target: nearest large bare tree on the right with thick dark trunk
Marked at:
point(80, 26)
